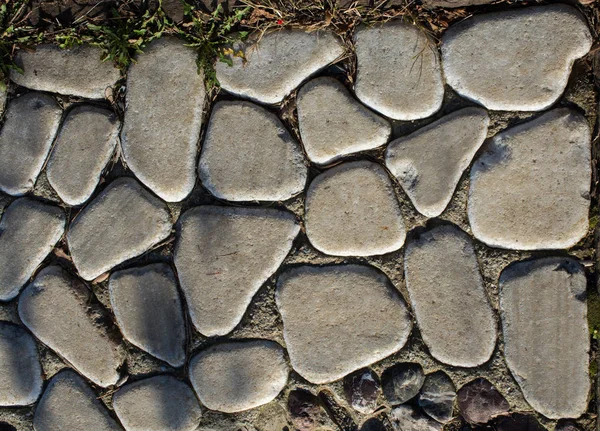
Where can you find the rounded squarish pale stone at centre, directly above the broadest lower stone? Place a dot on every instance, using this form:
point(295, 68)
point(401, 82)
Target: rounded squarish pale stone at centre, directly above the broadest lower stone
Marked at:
point(352, 210)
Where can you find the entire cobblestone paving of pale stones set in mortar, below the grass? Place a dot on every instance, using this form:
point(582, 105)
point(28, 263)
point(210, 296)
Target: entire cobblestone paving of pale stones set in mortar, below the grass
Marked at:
point(408, 250)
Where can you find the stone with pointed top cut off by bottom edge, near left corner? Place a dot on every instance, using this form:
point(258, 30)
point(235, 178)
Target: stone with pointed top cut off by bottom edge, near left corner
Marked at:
point(70, 404)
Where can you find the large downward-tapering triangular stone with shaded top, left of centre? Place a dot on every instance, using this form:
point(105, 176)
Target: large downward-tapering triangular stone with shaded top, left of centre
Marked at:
point(224, 255)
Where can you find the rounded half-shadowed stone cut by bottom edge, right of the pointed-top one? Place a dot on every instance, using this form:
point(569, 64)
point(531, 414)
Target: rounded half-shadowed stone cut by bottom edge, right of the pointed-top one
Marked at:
point(156, 404)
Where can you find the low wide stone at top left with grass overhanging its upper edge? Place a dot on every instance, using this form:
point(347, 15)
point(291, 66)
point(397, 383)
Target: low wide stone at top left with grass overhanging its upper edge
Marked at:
point(77, 72)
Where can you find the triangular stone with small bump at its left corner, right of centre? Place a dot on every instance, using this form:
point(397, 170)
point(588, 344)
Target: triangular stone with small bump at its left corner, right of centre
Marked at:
point(429, 163)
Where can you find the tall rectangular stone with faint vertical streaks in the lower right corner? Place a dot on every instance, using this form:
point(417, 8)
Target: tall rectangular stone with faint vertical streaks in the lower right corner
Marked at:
point(543, 312)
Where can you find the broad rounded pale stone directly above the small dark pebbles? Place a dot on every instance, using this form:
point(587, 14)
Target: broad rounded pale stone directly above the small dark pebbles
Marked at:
point(338, 319)
